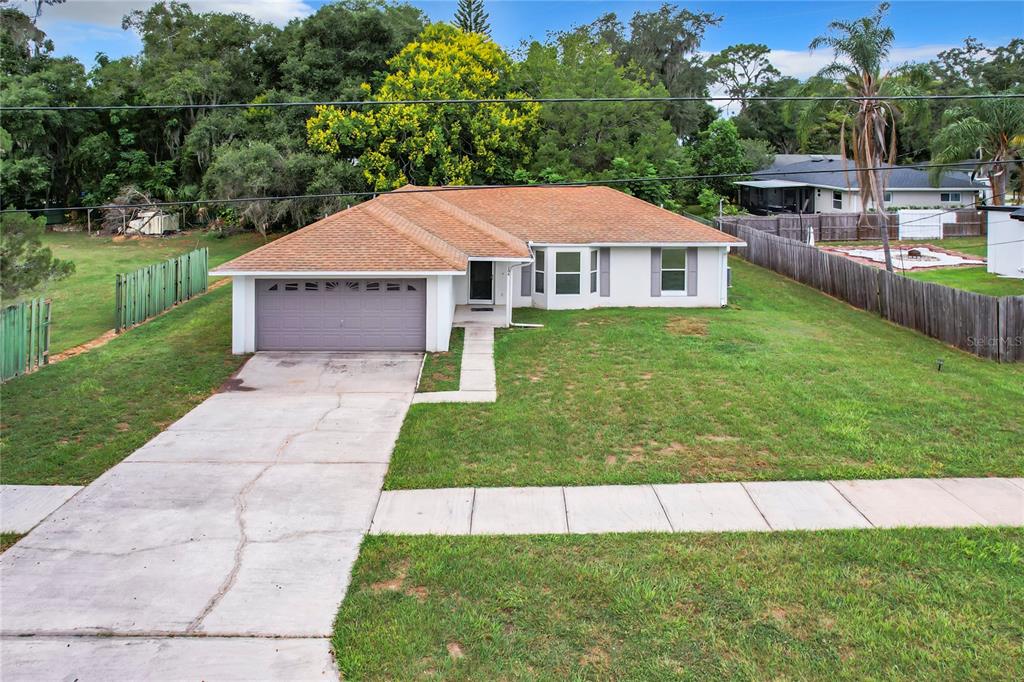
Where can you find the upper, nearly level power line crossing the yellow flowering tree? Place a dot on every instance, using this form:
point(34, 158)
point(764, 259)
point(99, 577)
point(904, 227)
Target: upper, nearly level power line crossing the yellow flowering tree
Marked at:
point(496, 101)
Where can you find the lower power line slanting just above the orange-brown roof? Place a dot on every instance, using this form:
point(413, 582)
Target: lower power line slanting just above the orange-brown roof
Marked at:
point(477, 188)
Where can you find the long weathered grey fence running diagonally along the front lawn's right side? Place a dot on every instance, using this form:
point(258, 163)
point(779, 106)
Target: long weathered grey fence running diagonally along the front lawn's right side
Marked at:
point(986, 326)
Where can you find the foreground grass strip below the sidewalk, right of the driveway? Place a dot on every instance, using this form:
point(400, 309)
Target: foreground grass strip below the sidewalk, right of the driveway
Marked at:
point(858, 605)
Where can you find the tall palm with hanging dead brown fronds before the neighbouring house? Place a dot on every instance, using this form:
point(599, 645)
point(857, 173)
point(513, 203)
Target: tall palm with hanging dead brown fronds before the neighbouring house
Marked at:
point(862, 48)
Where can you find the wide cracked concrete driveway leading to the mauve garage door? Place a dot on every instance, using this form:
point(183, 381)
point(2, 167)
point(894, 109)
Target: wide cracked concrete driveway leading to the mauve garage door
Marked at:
point(238, 525)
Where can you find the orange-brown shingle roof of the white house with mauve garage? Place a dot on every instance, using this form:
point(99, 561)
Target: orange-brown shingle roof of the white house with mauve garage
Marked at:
point(416, 231)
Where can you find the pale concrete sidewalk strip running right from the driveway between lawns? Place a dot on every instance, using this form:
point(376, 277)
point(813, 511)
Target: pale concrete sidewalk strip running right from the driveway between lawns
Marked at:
point(704, 507)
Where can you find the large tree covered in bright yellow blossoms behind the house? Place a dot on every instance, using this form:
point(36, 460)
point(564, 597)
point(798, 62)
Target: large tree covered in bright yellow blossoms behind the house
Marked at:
point(429, 144)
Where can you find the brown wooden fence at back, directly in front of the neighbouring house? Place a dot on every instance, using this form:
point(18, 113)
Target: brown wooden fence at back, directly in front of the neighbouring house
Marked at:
point(846, 228)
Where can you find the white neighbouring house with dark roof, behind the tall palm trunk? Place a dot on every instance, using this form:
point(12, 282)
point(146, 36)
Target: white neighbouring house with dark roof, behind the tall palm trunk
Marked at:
point(823, 184)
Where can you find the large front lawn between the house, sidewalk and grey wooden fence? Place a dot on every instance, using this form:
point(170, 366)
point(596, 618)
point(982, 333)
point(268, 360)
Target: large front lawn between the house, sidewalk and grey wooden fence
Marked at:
point(784, 385)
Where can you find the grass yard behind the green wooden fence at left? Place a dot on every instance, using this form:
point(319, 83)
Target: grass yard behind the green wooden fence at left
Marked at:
point(83, 305)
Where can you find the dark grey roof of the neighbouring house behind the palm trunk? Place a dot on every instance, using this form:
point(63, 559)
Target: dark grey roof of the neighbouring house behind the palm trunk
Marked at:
point(831, 172)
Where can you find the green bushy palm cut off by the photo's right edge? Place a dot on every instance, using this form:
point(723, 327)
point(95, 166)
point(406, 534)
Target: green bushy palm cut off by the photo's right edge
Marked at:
point(993, 127)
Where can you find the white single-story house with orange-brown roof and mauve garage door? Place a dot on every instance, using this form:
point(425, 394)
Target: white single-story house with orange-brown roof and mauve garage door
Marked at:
point(390, 274)
